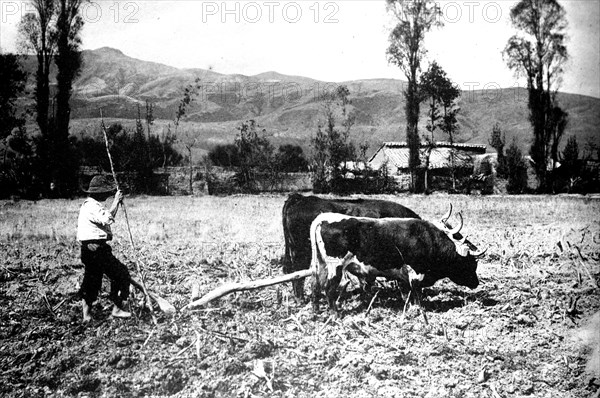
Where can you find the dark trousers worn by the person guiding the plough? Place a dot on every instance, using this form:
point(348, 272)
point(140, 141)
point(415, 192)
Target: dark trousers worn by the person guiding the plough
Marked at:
point(98, 260)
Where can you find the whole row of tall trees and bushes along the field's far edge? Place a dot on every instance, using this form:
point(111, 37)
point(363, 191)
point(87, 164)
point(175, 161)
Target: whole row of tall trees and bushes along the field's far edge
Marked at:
point(50, 160)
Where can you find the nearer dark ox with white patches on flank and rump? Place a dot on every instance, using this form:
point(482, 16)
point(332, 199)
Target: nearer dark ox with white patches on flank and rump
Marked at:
point(413, 251)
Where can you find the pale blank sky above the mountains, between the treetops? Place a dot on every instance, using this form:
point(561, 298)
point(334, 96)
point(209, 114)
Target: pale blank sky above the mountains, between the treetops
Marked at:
point(326, 40)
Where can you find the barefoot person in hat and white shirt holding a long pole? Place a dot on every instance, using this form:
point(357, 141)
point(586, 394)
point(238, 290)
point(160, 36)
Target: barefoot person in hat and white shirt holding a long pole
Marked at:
point(93, 231)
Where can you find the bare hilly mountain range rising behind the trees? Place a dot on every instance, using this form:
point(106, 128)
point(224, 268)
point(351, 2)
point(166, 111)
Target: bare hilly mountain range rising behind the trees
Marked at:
point(288, 107)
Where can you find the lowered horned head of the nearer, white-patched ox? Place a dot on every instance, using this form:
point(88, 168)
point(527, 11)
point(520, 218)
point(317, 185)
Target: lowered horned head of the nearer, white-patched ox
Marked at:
point(464, 270)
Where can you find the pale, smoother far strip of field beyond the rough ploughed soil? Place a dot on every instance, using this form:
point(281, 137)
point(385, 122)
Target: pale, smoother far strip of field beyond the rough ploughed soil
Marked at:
point(258, 218)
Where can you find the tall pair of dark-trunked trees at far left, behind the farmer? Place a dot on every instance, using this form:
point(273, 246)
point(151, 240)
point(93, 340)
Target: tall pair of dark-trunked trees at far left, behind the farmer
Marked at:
point(52, 33)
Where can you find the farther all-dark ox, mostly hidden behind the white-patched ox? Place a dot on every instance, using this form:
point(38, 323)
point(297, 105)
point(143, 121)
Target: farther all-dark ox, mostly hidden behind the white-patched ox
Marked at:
point(300, 211)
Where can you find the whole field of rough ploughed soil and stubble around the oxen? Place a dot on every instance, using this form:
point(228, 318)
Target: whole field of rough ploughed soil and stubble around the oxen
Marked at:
point(509, 337)
